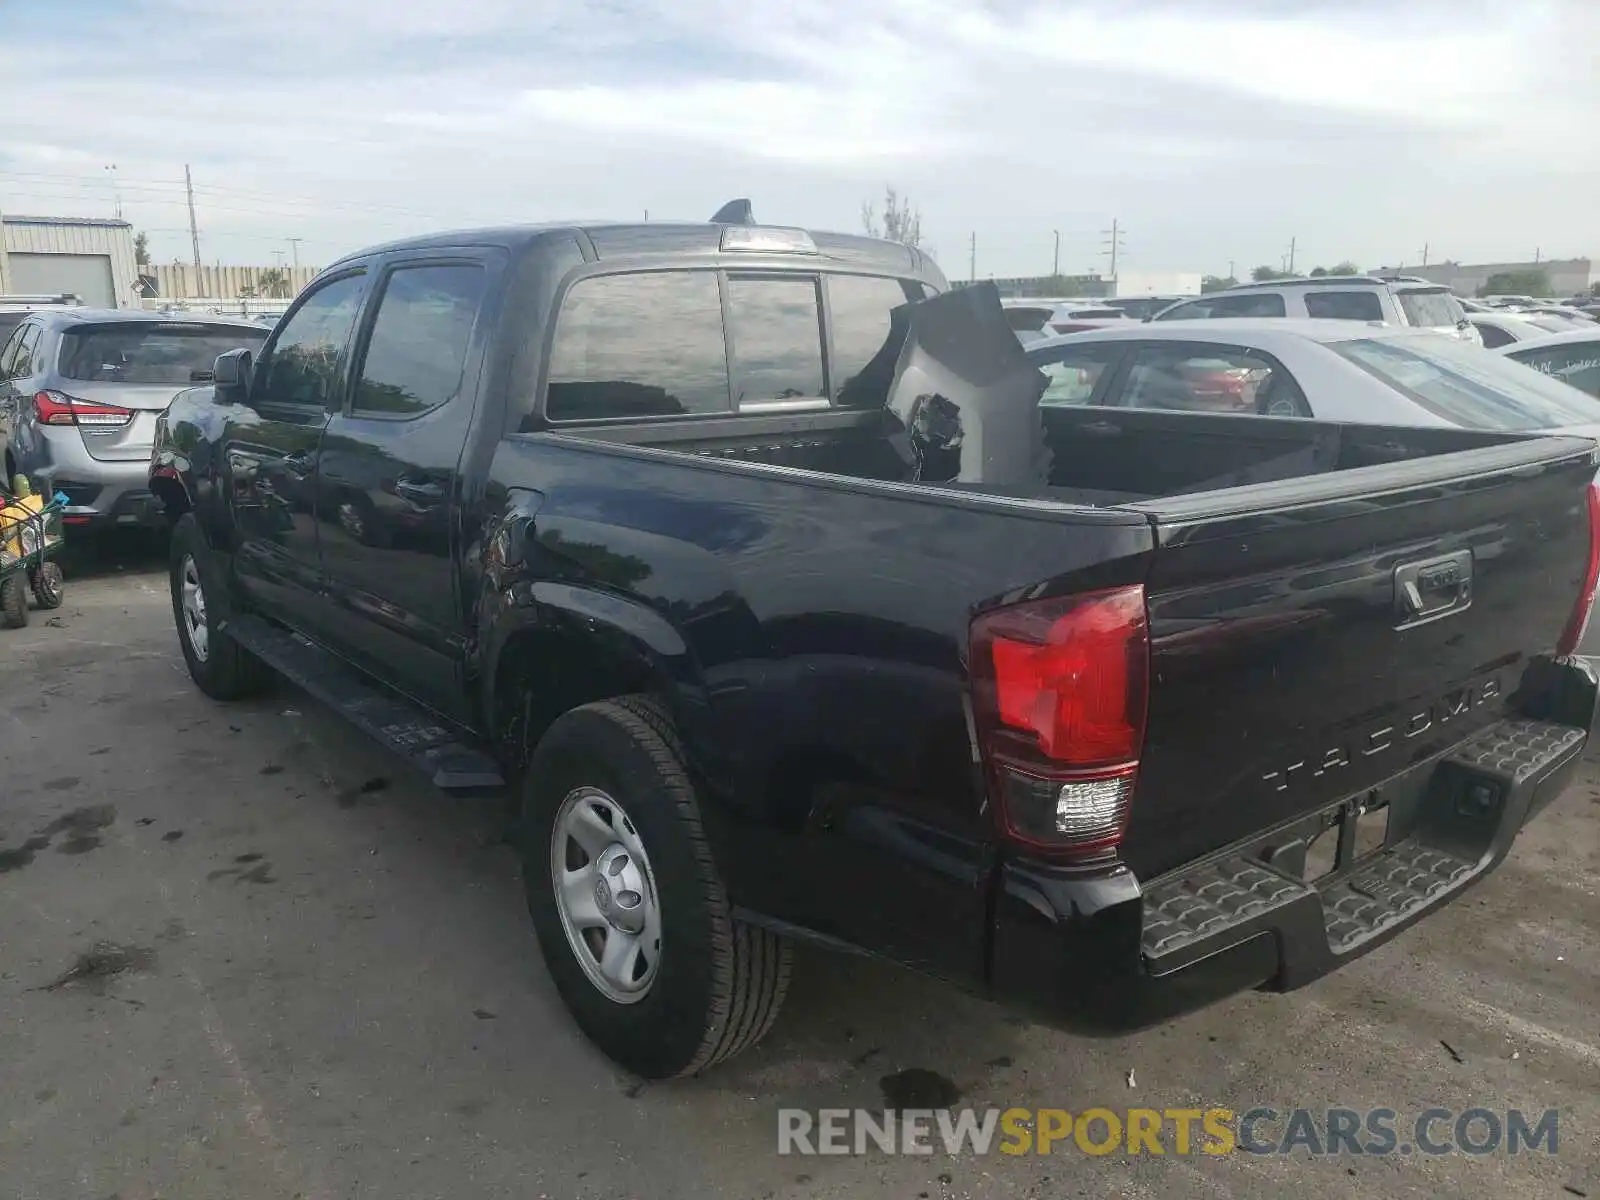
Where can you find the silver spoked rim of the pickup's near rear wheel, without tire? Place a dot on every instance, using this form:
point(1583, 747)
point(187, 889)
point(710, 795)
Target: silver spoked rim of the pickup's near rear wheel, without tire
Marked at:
point(606, 895)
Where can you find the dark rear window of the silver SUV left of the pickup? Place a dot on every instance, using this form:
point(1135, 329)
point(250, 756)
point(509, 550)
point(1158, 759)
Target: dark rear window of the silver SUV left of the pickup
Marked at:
point(150, 354)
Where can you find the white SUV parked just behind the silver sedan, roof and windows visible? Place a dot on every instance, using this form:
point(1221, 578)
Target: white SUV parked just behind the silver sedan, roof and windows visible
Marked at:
point(1362, 298)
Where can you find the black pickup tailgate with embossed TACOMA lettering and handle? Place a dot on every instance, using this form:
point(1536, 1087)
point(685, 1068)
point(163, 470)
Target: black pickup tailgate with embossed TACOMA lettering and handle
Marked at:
point(1314, 638)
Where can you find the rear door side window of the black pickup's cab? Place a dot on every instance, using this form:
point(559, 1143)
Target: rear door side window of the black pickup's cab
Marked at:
point(418, 348)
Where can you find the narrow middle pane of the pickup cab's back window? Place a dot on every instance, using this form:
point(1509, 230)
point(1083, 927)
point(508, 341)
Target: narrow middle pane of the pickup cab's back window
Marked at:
point(777, 327)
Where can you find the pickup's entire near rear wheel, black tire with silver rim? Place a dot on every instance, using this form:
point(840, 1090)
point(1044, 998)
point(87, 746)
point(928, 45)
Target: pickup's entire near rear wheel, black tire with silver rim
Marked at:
point(628, 905)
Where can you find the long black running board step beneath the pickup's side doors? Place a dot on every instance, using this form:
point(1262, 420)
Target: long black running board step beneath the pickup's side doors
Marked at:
point(385, 718)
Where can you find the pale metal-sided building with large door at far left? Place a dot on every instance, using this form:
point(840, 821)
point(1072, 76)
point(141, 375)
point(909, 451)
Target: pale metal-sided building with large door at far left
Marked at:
point(92, 258)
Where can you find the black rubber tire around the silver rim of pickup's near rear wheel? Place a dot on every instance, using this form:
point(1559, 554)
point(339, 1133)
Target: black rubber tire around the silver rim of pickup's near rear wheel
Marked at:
point(719, 983)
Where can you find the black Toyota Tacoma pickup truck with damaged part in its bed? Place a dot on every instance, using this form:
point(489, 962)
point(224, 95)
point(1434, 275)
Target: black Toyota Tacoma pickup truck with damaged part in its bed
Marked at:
point(751, 567)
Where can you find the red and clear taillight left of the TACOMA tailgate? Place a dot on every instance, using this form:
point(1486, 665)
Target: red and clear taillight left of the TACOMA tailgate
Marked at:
point(1060, 694)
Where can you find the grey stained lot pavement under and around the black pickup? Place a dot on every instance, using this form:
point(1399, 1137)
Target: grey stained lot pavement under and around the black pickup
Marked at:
point(246, 954)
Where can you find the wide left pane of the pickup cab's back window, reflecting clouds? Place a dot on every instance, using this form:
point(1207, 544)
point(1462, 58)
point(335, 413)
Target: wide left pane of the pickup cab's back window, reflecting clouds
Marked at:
point(639, 345)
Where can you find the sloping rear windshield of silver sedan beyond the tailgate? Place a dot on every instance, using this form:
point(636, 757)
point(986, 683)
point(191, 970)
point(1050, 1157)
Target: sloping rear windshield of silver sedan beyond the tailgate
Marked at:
point(1470, 388)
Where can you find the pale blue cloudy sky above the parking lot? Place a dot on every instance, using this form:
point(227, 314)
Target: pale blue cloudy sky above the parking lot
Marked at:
point(1212, 130)
